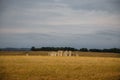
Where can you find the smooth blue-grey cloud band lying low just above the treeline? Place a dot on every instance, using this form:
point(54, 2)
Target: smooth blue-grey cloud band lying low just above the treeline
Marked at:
point(72, 40)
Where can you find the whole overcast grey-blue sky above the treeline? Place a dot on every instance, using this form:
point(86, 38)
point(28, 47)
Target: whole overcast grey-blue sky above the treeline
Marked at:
point(60, 23)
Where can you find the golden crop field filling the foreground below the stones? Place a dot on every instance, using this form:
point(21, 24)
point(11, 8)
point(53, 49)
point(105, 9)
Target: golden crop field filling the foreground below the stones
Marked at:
point(83, 67)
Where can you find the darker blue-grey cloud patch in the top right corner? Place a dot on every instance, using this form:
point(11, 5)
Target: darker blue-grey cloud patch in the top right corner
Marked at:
point(102, 5)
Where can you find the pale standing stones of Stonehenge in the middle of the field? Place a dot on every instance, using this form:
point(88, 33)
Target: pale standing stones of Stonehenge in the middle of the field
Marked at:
point(62, 53)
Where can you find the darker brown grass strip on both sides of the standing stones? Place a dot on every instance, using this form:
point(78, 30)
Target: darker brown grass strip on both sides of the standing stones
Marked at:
point(45, 53)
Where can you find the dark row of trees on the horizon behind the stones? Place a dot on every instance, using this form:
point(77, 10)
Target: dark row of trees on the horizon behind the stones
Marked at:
point(114, 50)
